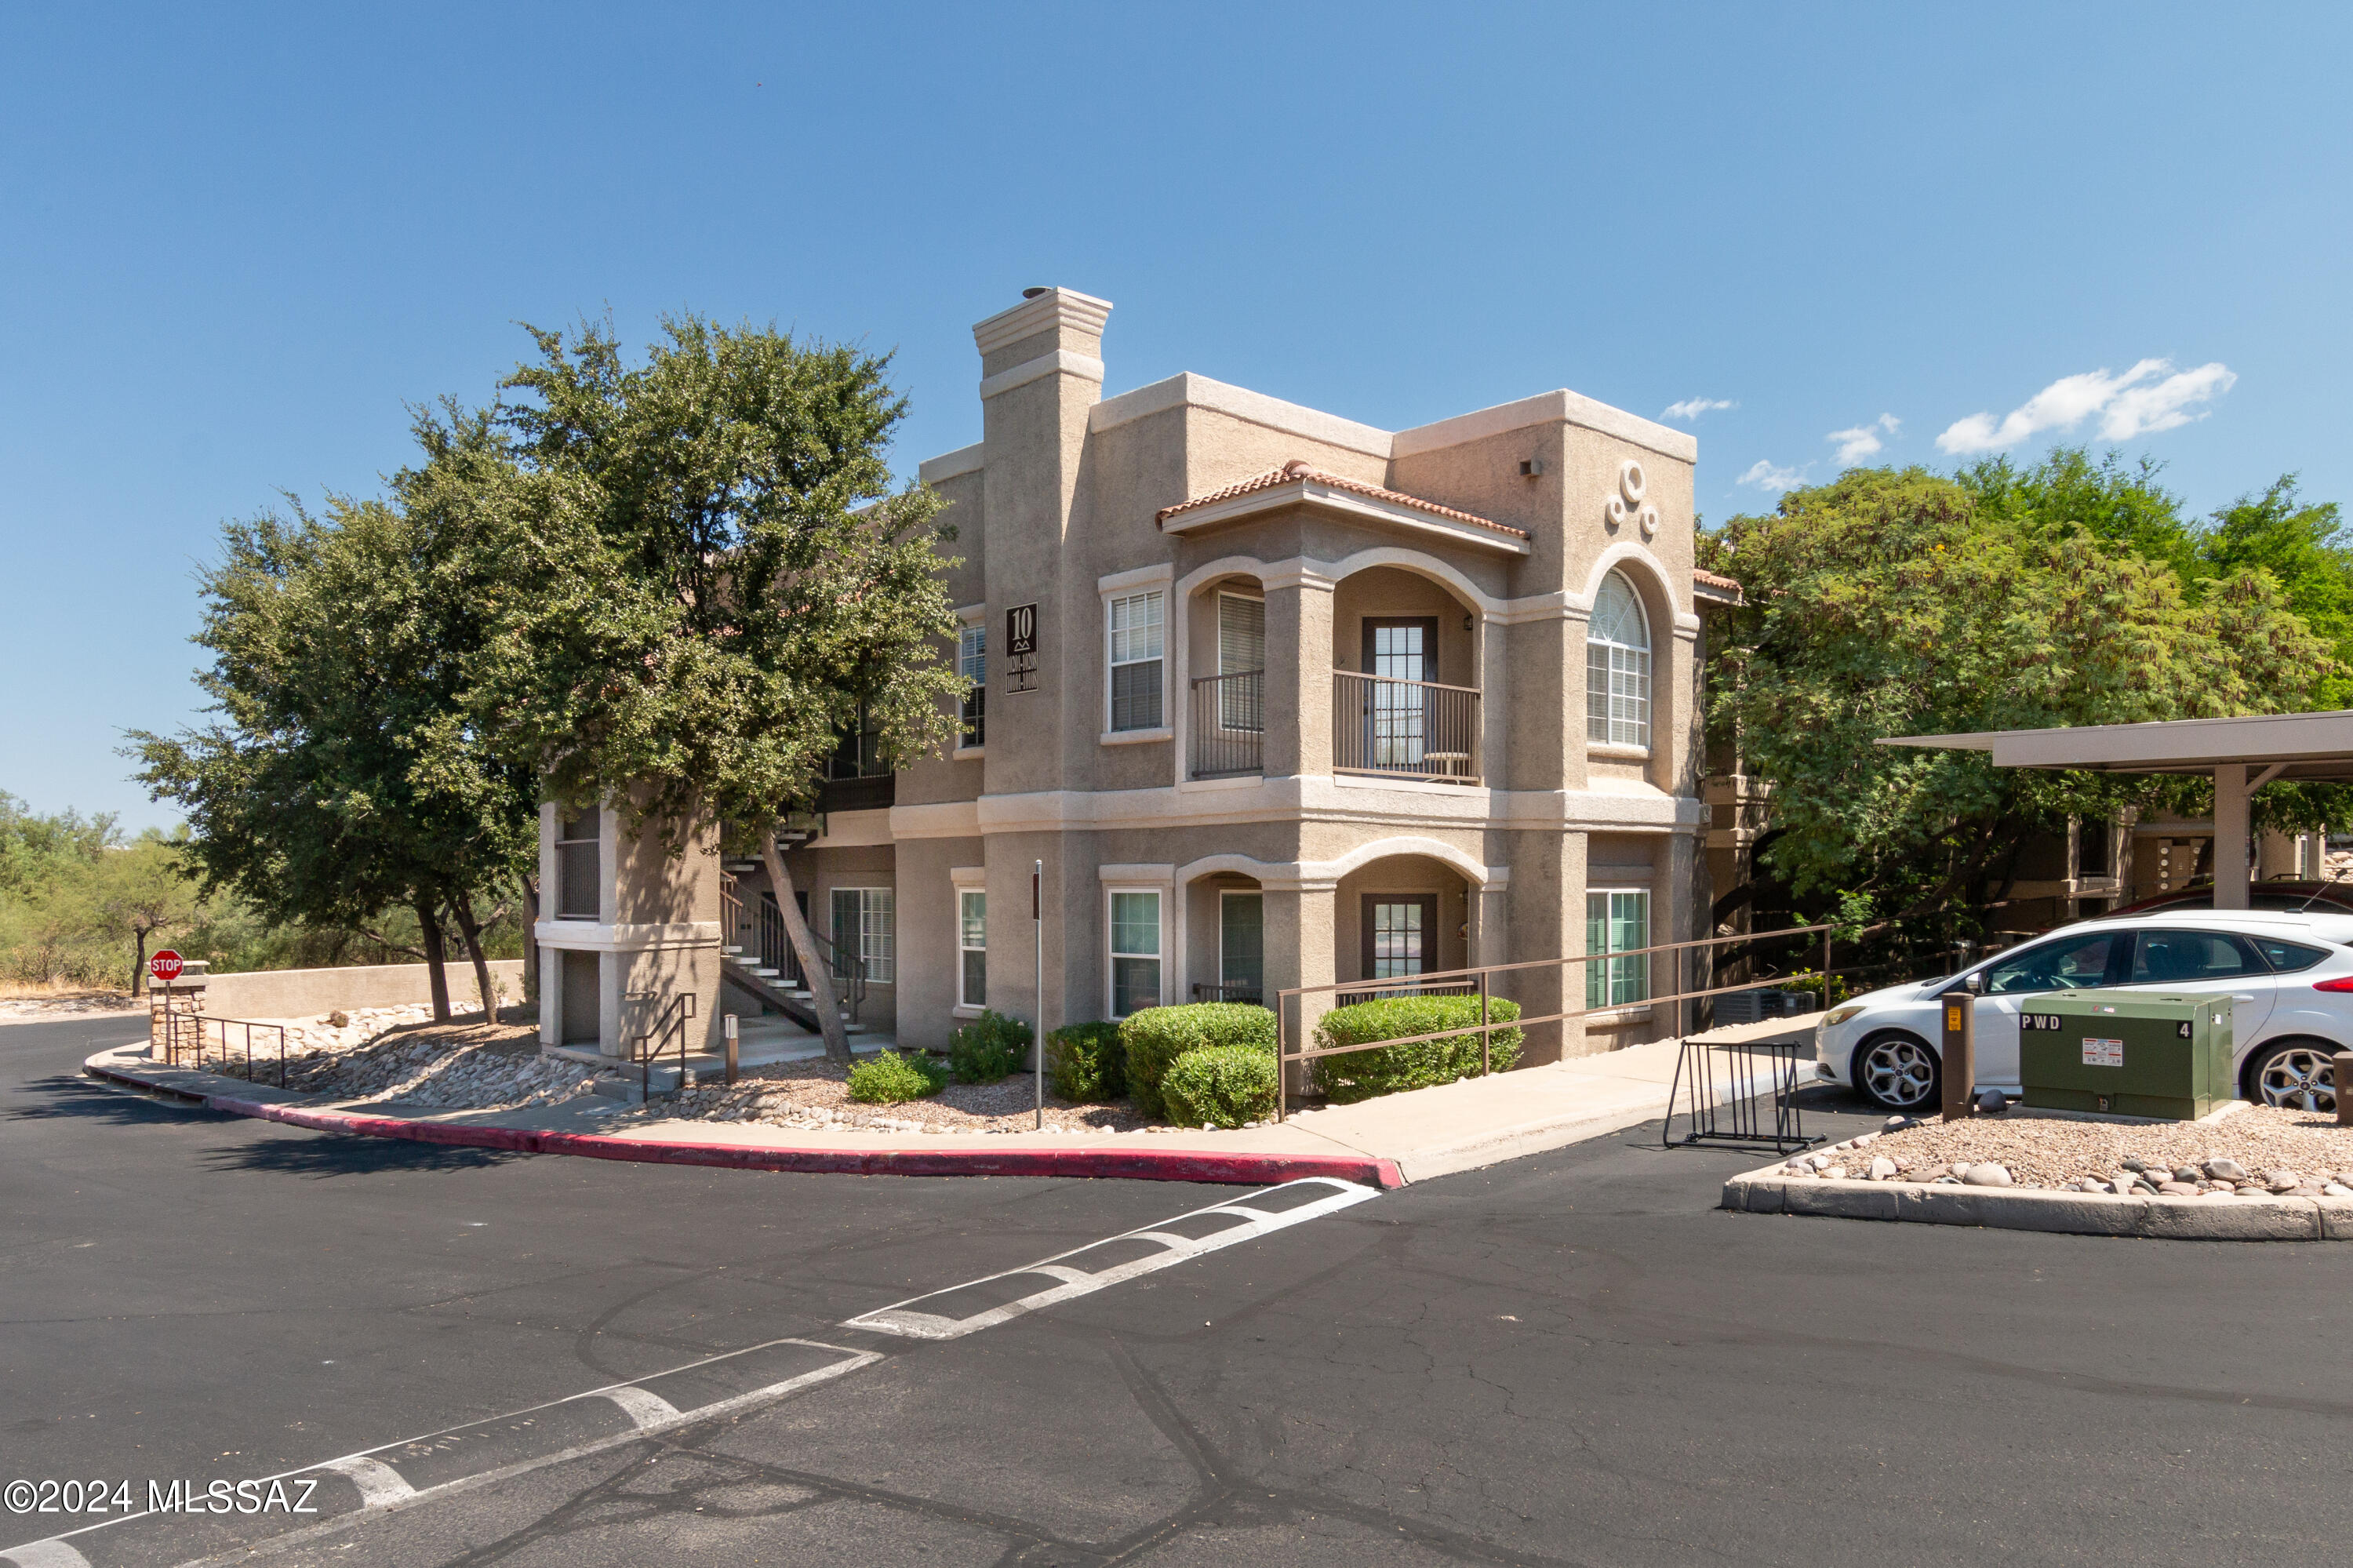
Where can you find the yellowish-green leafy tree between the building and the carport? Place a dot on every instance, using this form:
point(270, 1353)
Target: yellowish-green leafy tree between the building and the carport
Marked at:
point(1902, 604)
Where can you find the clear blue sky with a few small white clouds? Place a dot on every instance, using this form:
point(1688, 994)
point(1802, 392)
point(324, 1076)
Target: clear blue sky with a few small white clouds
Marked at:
point(239, 241)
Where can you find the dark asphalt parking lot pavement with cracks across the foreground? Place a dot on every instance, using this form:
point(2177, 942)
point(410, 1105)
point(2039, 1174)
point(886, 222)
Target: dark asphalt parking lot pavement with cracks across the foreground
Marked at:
point(1566, 1360)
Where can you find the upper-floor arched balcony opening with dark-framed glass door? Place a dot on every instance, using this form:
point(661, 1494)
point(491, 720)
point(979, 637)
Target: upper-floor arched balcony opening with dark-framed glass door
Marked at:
point(1406, 658)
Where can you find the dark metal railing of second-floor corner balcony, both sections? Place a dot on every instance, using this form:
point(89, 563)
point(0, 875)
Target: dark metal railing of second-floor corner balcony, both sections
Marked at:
point(1380, 726)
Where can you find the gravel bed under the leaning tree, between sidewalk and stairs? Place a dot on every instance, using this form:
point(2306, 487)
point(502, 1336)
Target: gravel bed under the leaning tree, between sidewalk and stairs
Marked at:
point(815, 1096)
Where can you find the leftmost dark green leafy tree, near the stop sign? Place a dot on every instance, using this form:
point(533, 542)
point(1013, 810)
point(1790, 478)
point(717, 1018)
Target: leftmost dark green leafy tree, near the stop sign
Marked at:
point(340, 776)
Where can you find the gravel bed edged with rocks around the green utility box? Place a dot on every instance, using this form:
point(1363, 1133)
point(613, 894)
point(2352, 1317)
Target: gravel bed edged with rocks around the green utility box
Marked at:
point(2255, 1152)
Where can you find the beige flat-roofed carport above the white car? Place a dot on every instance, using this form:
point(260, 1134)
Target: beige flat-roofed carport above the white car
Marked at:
point(2244, 755)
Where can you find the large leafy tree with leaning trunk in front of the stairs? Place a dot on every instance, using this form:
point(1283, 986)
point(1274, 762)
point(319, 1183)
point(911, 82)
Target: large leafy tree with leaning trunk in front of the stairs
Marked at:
point(700, 580)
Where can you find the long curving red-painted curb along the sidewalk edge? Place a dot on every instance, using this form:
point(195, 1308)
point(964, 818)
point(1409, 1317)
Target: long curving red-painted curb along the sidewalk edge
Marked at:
point(1135, 1164)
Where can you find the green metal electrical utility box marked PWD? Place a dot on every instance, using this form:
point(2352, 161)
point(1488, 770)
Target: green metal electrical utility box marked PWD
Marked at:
point(2131, 1054)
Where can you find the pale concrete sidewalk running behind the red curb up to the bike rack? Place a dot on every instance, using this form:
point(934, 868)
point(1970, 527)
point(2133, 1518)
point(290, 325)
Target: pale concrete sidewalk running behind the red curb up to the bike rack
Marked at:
point(1399, 1138)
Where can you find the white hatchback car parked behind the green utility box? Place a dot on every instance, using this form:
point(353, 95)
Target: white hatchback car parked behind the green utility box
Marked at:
point(2291, 978)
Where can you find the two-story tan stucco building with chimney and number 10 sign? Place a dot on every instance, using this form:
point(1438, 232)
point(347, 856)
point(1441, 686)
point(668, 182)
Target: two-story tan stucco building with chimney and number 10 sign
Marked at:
point(1277, 698)
